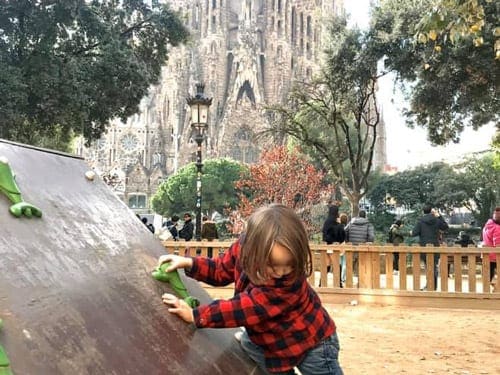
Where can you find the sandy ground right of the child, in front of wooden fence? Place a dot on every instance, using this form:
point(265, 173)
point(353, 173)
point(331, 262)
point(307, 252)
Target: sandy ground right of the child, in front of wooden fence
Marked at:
point(400, 340)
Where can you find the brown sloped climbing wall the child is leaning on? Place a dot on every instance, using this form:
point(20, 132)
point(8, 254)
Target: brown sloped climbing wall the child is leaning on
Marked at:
point(77, 296)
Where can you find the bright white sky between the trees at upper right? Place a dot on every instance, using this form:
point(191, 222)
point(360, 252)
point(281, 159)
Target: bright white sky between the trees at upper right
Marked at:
point(407, 148)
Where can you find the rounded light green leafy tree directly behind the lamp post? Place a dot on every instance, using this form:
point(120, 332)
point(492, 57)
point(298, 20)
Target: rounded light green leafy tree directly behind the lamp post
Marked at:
point(178, 193)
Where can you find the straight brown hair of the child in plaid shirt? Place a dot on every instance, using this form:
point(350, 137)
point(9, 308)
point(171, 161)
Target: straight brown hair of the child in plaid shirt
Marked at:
point(267, 226)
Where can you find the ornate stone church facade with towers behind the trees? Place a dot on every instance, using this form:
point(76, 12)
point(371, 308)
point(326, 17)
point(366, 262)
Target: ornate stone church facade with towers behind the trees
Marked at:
point(248, 53)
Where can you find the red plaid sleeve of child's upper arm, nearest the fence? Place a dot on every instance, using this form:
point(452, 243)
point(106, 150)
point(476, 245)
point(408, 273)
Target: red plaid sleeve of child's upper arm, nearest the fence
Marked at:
point(218, 271)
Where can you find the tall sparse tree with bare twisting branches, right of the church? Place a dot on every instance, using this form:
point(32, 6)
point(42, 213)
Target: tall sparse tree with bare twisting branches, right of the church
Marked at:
point(335, 117)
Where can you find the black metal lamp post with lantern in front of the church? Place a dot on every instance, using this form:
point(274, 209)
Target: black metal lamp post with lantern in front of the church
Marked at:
point(199, 105)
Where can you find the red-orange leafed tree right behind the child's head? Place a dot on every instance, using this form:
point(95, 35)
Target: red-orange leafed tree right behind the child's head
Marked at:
point(284, 176)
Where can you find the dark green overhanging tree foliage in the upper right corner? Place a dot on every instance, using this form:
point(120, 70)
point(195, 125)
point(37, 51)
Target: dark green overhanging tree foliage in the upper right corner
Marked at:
point(447, 88)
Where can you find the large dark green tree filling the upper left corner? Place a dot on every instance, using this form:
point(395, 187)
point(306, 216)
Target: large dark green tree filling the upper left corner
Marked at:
point(71, 66)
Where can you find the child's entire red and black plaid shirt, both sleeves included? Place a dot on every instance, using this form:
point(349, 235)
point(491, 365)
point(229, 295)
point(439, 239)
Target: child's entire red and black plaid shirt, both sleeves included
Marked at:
point(284, 318)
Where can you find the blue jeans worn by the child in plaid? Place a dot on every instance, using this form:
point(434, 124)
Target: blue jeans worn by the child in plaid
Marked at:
point(320, 360)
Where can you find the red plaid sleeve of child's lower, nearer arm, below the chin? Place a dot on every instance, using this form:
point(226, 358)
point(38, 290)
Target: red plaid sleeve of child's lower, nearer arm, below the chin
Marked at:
point(244, 309)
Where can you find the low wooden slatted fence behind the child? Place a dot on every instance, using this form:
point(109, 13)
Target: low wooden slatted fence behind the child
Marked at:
point(373, 278)
